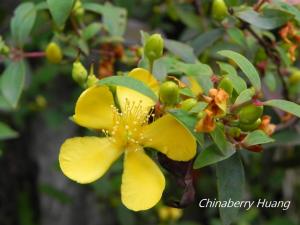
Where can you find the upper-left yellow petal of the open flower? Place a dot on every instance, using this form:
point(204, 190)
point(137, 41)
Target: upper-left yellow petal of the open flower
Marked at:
point(93, 108)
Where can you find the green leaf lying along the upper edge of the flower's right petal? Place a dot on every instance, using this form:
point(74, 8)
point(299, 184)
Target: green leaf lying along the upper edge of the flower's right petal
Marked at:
point(189, 122)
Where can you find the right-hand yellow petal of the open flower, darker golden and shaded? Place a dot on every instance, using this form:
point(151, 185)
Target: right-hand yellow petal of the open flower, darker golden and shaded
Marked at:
point(168, 136)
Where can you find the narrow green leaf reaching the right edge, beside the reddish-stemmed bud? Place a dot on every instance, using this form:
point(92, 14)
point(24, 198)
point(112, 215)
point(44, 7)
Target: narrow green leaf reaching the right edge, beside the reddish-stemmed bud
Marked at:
point(284, 105)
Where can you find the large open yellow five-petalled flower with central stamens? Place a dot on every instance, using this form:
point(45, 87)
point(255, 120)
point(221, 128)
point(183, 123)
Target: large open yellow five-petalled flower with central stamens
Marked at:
point(86, 159)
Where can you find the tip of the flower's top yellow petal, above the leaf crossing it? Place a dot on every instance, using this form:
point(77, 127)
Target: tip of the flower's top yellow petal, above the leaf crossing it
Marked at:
point(146, 77)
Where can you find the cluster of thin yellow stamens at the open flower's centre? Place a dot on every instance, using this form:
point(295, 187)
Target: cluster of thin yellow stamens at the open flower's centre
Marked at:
point(128, 124)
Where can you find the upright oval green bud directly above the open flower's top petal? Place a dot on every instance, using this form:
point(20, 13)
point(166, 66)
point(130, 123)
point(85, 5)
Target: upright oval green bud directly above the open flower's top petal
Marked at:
point(154, 46)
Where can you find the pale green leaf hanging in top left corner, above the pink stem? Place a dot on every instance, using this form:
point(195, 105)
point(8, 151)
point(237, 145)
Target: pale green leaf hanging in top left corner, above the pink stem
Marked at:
point(22, 22)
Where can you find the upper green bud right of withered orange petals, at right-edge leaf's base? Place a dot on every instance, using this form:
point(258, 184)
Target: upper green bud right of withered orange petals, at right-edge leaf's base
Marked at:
point(250, 113)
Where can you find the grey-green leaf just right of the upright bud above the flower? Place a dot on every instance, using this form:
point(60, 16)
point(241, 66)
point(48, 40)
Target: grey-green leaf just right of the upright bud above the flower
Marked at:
point(183, 51)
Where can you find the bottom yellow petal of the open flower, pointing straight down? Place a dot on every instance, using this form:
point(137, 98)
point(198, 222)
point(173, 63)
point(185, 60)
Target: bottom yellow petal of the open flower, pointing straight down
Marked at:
point(142, 181)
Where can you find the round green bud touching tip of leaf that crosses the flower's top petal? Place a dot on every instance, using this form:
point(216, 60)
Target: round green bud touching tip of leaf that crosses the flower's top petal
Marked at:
point(169, 93)
